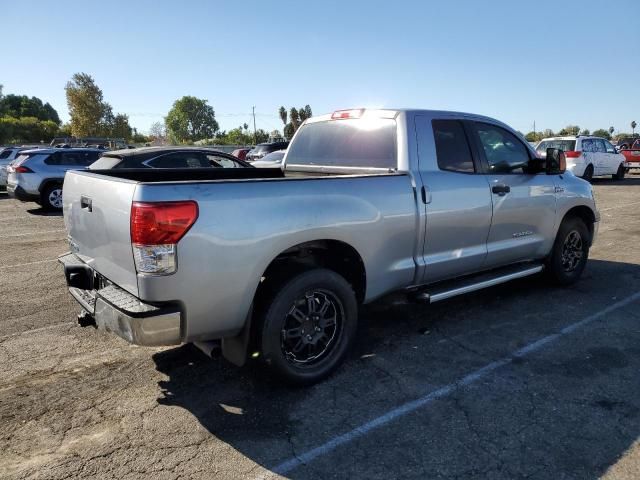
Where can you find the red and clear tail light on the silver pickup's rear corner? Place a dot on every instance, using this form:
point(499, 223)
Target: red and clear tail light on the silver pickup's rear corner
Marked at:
point(156, 228)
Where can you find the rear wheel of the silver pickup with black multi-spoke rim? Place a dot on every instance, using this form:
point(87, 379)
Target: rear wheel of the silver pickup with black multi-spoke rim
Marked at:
point(319, 303)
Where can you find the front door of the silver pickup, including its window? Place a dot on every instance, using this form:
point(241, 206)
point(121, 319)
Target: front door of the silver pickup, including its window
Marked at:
point(524, 203)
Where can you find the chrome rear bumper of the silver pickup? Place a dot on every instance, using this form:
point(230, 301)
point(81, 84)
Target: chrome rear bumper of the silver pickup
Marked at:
point(116, 310)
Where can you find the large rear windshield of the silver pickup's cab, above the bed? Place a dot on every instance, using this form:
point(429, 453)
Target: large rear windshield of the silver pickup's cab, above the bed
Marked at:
point(369, 143)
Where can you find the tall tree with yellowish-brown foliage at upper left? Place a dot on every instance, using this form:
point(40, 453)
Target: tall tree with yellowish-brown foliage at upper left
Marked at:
point(87, 107)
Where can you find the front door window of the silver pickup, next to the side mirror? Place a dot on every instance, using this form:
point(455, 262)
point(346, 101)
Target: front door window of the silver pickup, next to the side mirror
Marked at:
point(503, 151)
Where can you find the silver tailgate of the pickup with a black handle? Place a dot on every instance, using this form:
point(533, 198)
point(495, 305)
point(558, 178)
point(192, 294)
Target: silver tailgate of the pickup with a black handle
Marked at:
point(97, 209)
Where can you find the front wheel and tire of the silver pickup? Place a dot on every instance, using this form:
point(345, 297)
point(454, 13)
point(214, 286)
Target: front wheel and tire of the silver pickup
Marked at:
point(570, 252)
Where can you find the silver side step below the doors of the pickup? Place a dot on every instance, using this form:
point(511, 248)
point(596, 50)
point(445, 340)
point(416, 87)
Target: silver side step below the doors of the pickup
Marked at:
point(437, 292)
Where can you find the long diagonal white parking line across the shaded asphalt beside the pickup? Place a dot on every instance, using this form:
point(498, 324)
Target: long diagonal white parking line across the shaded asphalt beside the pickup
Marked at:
point(409, 407)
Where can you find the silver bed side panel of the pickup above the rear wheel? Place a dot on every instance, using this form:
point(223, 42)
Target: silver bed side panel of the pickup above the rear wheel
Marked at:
point(244, 225)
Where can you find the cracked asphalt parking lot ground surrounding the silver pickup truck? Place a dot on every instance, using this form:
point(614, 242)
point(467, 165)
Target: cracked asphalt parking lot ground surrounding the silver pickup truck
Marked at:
point(519, 381)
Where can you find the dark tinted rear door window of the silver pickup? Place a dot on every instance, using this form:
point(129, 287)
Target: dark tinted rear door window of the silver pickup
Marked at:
point(452, 148)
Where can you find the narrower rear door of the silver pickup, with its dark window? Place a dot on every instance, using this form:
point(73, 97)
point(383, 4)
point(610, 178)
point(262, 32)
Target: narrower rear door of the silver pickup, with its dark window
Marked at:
point(456, 200)
